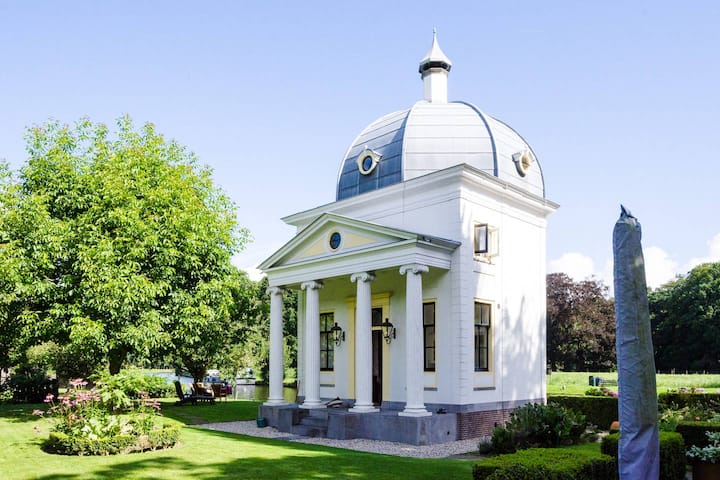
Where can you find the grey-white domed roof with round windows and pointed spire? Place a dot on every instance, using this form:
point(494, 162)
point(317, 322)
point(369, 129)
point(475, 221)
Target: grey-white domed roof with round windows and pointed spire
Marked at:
point(433, 135)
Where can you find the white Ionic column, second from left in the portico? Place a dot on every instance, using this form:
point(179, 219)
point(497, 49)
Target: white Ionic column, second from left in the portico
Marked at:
point(312, 344)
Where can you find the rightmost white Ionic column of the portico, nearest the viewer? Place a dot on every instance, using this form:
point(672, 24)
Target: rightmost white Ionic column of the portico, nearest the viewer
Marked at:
point(414, 403)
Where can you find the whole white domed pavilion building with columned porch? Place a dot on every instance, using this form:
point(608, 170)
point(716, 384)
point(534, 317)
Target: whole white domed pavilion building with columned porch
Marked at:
point(422, 305)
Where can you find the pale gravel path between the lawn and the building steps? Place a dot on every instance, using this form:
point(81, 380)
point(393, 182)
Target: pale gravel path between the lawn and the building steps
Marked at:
point(373, 446)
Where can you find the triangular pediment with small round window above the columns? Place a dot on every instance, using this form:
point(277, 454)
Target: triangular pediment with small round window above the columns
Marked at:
point(332, 235)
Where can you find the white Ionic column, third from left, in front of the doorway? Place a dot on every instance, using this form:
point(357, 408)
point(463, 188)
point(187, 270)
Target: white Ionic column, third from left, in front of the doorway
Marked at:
point(363, 344)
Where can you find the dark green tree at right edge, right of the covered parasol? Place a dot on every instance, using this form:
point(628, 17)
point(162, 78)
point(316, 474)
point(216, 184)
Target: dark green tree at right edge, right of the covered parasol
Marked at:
point(685, 315)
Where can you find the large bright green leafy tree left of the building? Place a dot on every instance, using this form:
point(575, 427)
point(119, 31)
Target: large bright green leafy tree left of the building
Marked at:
point(119, 245)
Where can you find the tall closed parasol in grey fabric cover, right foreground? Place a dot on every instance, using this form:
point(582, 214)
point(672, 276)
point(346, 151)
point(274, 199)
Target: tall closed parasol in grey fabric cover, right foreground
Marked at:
point(639, 446)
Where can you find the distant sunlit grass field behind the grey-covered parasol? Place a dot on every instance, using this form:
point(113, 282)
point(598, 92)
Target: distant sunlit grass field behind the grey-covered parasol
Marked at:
point(575, 383)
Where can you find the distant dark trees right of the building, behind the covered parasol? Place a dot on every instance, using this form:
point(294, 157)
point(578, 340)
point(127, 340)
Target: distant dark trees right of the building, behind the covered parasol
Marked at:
point(684, 313)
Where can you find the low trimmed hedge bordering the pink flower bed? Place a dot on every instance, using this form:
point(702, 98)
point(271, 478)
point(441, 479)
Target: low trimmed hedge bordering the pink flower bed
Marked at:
point(64, 444)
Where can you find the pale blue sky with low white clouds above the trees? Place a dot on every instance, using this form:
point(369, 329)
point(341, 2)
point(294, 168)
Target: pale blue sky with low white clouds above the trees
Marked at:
point(618, 99)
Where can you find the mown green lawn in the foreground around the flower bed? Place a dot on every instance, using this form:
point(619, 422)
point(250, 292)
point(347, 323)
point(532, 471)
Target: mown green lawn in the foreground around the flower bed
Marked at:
point(205, 454)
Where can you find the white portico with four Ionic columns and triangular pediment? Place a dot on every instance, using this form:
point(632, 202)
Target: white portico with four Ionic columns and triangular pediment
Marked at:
point(396, 254)
